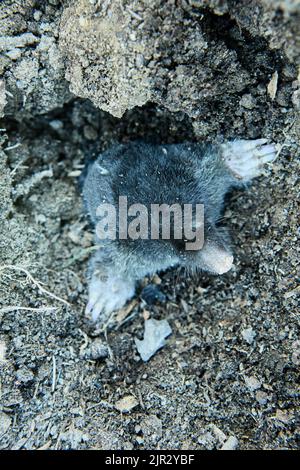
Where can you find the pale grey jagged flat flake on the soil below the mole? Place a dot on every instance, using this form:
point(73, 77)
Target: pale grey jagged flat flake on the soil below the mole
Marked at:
point(154, 338)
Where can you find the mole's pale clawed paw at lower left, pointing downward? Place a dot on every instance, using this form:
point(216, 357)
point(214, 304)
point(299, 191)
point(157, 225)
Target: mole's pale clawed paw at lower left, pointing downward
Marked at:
point(107, 294)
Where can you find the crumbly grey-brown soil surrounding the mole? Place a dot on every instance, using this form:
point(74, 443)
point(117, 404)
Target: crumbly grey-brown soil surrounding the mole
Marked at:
point(229, 373)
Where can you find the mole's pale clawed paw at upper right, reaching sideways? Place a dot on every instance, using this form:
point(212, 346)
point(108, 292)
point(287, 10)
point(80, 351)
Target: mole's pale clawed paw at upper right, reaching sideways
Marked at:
point(246, 158)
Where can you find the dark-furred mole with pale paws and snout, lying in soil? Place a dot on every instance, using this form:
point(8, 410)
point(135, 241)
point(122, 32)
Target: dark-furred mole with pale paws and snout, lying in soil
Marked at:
point(184, 174)
